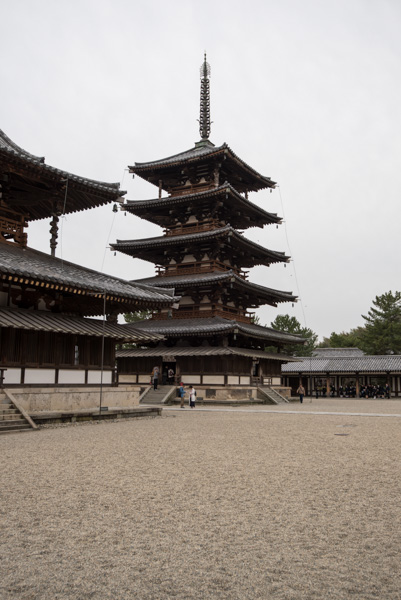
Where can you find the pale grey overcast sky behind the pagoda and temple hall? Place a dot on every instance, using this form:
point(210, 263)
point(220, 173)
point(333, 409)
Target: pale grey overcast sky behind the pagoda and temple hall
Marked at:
point(308, 93)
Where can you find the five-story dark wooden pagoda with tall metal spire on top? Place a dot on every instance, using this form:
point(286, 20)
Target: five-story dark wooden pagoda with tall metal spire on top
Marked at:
point(203, 254)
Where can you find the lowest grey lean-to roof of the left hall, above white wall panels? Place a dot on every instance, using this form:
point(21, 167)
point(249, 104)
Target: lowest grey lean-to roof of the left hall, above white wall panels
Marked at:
point(39, 320)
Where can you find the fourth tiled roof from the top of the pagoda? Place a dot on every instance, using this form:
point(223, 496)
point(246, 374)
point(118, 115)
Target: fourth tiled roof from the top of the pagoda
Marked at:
point(179, 282)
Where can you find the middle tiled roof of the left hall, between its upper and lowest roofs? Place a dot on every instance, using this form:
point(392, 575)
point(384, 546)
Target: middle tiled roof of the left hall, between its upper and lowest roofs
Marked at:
point(34, 268)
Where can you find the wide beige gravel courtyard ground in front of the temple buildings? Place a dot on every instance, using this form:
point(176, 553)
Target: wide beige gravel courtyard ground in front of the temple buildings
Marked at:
point(198, 504)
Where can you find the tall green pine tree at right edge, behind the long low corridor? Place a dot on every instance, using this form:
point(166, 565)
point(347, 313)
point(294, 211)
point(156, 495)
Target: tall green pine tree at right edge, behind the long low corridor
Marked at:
point(382, 332)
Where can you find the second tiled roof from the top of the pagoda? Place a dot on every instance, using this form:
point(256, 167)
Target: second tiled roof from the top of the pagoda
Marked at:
point(153, 210)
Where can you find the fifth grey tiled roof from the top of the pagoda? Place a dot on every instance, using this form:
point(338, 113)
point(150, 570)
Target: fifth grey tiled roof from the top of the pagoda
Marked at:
point(214, 326)
